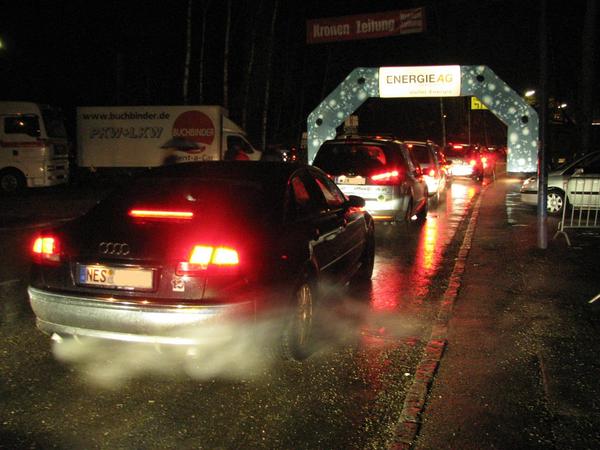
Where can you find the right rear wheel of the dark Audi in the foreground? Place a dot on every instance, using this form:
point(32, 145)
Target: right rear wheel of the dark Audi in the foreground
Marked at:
point(297, 341)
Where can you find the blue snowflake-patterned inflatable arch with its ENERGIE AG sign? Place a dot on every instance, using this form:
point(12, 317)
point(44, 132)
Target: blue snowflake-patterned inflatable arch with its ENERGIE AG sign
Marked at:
point(479, 81)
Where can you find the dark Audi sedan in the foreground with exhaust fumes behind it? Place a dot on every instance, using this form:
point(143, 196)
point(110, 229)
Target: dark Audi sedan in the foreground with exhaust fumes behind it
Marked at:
point(190, 244)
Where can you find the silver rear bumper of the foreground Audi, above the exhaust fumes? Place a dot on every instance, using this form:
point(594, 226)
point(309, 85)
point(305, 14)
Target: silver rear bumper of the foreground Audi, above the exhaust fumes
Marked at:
point(101, 318)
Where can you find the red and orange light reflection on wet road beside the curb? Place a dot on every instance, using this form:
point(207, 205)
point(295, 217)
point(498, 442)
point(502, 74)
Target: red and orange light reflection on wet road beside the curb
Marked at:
point(408, 258)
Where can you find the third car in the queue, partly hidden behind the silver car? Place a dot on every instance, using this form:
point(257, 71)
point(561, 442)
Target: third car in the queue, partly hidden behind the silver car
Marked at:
point(434, 167)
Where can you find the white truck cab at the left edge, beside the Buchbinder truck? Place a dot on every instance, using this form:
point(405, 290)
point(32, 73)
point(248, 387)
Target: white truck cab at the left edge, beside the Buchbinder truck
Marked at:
point(34, 149)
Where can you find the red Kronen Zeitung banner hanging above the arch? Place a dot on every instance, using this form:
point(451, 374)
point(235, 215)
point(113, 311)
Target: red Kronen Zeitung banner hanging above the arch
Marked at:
point(365, 26)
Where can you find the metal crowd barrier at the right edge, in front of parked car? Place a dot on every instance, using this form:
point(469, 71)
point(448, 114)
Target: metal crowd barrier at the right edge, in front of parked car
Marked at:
point(582, 205)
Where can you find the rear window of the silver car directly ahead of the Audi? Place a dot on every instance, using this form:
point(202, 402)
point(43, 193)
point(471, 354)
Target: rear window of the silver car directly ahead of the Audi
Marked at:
point(353, 158)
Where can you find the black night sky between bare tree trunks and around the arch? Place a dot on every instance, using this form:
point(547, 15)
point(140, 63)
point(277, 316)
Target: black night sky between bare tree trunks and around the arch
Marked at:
point(82, 53)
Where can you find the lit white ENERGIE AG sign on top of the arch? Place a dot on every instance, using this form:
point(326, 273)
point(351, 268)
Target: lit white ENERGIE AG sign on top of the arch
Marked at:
point(419, 81)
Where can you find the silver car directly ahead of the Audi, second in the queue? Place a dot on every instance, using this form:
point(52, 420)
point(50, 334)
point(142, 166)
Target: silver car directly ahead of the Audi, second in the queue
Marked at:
point(381, 170)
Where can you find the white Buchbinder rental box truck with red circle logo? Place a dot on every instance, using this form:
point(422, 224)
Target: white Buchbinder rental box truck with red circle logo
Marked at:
point(149, 136)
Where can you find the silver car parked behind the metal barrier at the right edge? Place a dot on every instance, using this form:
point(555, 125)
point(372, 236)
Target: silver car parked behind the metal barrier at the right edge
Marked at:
point(557, 182)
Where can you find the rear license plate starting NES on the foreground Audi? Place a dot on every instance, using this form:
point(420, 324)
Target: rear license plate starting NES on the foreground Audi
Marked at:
point(116, 277)
